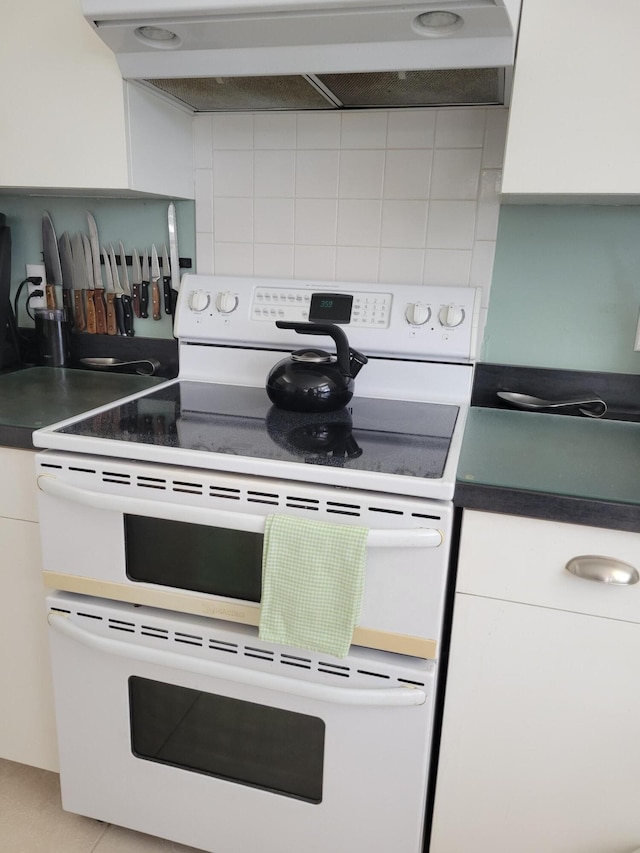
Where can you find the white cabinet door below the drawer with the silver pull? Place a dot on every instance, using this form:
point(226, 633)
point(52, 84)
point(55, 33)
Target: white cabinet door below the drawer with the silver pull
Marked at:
point(540, 749)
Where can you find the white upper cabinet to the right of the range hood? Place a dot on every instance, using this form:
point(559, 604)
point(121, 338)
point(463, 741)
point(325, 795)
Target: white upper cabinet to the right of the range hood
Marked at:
point(574, 122)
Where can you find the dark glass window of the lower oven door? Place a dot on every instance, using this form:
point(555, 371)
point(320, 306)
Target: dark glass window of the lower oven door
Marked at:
point(250, 744)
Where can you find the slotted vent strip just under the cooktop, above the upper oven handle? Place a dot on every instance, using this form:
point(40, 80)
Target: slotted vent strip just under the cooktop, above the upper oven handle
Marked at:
point(207, 491)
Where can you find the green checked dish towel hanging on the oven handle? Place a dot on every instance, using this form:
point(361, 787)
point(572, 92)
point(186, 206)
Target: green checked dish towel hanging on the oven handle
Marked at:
point(312, 583)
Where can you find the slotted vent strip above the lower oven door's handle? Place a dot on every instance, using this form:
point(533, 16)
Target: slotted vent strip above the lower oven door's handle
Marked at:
point(260, 654)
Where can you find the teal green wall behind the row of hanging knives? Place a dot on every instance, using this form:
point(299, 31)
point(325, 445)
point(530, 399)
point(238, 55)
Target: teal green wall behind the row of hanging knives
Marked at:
point(137, 222)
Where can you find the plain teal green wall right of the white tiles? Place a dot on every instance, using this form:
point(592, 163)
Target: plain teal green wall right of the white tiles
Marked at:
point(566, 288)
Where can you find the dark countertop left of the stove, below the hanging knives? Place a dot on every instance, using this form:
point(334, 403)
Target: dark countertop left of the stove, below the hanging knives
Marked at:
point(39, 396)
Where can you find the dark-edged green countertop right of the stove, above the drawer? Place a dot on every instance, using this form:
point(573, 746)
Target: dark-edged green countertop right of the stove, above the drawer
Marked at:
point(574, 469)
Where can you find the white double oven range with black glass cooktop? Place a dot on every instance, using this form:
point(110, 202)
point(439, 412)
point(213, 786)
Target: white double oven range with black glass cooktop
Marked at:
point(174, 717)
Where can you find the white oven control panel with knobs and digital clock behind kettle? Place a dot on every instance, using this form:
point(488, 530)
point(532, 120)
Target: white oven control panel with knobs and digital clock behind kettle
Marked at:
point(418, 321)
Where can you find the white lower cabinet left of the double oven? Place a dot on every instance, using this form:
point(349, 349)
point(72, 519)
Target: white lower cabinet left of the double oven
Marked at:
point(27, 722)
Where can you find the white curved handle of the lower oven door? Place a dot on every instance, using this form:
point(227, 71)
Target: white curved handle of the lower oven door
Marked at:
point(377, 696)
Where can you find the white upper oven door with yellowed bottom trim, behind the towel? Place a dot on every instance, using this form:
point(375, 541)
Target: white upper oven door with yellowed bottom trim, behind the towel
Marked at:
point(191, 541)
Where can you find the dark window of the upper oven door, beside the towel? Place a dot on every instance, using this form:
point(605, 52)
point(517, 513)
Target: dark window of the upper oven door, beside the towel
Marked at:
point(213, 560)
